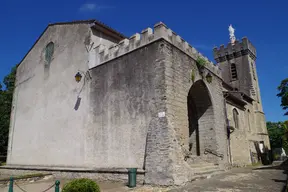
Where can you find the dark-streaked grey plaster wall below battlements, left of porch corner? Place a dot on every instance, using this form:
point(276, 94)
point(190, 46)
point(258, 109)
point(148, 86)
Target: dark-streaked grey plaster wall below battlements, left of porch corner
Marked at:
point(125, 98)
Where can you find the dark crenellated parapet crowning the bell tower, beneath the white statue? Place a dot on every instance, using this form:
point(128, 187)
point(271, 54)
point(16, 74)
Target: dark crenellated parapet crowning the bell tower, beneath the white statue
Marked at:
point(233, 51)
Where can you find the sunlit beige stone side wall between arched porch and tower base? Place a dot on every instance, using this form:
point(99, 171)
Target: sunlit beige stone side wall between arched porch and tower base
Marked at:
point(242, 140)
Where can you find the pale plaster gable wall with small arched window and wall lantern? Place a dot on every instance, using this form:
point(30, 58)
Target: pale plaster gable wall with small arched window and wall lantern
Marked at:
point(45, 128)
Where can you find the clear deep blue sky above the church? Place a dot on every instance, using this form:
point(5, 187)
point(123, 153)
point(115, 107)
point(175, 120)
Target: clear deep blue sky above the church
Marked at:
point(202, 23)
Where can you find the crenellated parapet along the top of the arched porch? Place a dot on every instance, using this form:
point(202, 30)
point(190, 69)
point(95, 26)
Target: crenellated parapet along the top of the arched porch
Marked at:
point(102, 54)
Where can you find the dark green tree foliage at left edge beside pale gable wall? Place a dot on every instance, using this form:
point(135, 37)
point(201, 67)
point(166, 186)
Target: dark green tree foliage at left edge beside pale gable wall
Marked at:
point(6, 95)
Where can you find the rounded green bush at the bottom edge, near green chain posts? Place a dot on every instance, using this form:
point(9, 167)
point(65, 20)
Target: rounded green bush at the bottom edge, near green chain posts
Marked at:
point(81, 185)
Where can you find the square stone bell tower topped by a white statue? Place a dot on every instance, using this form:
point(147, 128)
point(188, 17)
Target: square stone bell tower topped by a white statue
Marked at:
point(237, 62)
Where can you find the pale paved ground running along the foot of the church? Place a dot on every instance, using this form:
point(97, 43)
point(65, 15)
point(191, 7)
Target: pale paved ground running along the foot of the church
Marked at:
point(264, 179)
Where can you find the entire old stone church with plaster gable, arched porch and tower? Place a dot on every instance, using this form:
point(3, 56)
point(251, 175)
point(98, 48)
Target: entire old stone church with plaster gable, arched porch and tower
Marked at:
point(142, 102)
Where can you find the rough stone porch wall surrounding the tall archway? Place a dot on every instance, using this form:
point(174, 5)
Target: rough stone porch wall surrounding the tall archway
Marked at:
point(178, 71)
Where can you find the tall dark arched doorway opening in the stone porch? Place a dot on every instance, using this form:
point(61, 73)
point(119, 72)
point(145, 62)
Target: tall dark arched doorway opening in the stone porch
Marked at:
point(201, 119)
